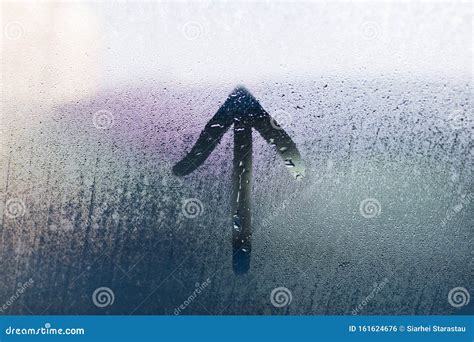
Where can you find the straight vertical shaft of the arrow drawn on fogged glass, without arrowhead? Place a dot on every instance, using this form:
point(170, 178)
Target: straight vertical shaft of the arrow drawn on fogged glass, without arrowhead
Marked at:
point(241, 196)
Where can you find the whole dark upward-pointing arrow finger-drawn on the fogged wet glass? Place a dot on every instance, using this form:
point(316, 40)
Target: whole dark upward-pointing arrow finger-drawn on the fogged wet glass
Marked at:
point(243, 110)
